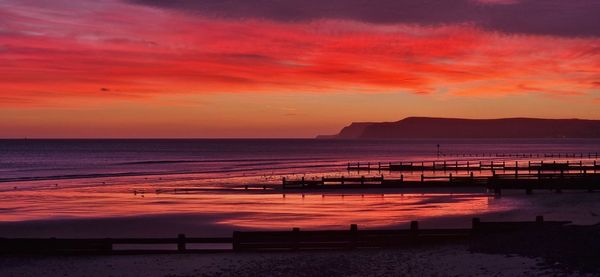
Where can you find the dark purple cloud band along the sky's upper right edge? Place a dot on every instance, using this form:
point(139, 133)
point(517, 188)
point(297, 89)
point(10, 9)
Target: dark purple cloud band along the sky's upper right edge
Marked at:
point(574, 18)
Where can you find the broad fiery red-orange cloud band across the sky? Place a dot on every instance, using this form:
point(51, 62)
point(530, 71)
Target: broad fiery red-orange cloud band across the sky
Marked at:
point(119, 51)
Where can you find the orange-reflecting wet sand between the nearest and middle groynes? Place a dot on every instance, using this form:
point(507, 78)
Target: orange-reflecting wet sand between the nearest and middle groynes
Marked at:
point(185, 214)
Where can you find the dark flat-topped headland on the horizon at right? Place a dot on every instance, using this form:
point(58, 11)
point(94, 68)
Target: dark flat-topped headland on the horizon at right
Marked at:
point(429, 127)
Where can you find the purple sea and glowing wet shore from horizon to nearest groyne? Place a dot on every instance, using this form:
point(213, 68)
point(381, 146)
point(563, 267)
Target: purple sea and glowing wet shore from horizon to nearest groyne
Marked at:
point(156, 187)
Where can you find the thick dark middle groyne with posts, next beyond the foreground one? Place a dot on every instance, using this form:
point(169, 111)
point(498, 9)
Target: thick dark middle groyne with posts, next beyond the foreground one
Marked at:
point(496, 182)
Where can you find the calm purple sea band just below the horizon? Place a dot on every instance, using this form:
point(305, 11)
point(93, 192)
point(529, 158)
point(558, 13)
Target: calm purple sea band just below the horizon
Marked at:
point(47, 159)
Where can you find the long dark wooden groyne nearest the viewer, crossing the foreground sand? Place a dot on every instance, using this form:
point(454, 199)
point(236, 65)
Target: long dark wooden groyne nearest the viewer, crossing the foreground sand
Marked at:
point(295, 239)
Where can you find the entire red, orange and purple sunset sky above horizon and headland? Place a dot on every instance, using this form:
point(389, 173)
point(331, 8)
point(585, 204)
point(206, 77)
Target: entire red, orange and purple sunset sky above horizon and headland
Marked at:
point(295, 68)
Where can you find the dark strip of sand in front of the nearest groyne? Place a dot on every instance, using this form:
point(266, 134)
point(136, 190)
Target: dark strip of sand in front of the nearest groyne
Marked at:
point(448, 260)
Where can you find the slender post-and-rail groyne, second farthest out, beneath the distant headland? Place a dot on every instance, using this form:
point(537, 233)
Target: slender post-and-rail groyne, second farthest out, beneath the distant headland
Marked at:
point(581, 165)
